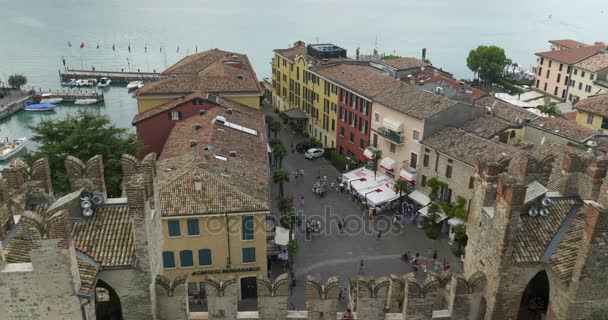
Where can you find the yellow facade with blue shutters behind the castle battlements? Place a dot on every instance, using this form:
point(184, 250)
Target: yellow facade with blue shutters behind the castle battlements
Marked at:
point(219, 245)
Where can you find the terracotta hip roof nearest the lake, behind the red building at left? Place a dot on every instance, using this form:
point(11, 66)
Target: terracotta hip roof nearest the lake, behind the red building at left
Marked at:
point(213, 70)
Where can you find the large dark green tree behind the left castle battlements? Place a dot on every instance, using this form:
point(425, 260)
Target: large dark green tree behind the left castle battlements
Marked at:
point(82, 136)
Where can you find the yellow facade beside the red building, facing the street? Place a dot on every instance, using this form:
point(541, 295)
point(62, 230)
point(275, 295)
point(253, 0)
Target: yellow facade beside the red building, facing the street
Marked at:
point(296, 85)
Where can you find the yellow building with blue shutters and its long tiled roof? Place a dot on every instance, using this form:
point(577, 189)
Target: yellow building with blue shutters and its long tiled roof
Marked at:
point(214, 197)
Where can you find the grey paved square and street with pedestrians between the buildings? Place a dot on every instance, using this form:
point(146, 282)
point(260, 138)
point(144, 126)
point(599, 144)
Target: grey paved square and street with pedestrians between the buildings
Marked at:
point(331, 253)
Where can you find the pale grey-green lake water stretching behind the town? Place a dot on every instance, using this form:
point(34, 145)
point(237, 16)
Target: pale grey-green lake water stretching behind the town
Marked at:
point(35, 35)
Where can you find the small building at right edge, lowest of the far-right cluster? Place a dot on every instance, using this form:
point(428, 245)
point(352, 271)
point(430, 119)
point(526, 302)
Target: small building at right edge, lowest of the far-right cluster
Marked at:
point(593, 112)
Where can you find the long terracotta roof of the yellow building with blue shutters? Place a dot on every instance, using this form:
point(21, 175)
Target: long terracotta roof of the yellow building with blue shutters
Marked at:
point(230, 183)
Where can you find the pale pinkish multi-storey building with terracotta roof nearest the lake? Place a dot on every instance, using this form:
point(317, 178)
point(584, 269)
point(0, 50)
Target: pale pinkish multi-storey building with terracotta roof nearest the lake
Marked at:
point(554, 68)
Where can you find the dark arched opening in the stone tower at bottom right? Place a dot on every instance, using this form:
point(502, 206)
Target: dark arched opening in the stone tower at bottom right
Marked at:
point(535, 299)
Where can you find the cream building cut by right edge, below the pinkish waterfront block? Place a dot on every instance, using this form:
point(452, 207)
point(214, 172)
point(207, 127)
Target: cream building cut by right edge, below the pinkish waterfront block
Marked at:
point(589, 77)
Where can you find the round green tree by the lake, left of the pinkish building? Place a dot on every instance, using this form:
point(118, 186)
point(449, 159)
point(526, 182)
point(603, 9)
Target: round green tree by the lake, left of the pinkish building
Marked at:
point(487, 62)
